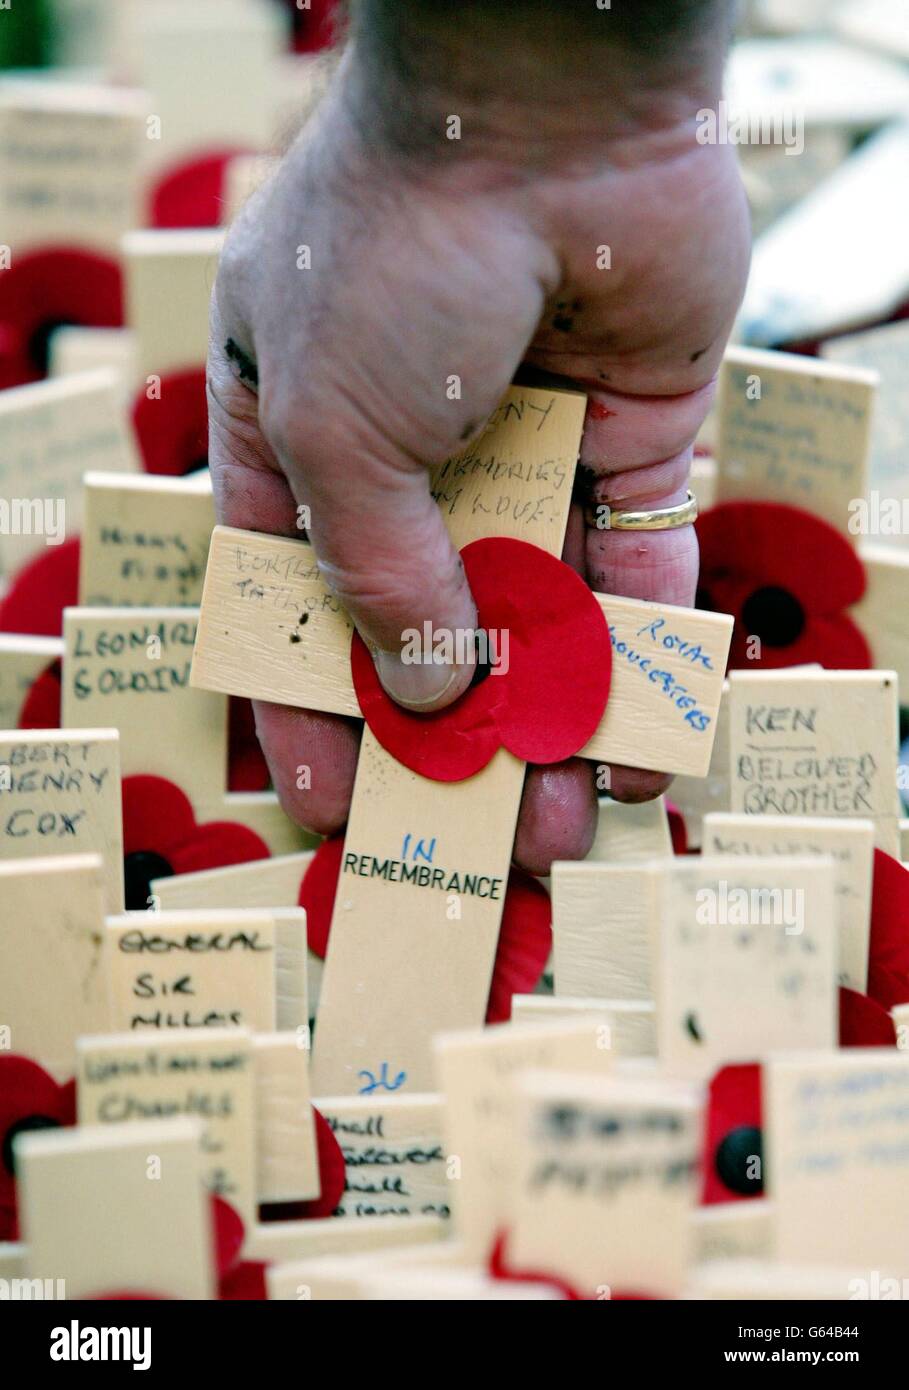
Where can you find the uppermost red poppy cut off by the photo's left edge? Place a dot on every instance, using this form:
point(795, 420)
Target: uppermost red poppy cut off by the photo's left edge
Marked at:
point(45, 290)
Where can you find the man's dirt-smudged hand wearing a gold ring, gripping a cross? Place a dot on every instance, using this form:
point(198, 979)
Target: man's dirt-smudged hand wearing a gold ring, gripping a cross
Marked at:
point(576, 227)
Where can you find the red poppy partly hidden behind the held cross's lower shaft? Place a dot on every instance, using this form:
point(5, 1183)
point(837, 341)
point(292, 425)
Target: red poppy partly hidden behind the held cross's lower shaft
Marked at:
point(525, 935)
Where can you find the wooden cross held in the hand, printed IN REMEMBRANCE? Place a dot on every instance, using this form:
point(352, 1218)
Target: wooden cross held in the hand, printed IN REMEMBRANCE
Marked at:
point(423, 972)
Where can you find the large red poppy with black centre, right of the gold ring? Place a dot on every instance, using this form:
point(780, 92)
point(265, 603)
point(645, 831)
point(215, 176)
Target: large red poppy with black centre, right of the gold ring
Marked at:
point(786, 578)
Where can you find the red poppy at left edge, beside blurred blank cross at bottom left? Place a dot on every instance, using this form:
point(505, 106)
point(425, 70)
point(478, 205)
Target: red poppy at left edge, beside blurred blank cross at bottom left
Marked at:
point(30, 1100)
